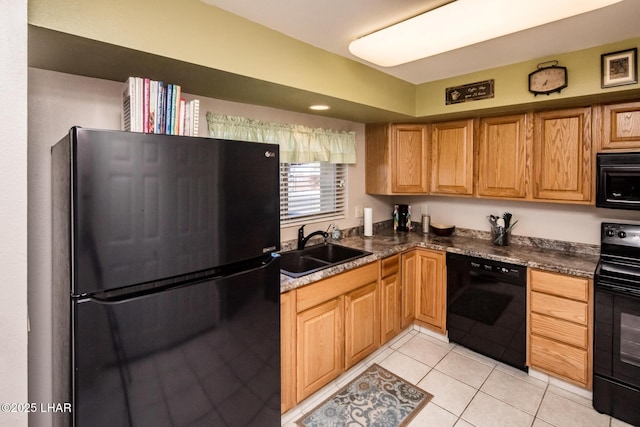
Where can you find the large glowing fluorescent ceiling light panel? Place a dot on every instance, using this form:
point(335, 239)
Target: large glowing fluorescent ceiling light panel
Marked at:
point(463, 23)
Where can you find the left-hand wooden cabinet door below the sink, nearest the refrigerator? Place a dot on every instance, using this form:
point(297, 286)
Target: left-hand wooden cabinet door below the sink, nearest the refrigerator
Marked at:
point(319, 346)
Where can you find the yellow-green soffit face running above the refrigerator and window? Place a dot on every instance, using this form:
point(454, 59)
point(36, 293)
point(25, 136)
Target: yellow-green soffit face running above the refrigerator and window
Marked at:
point(219, 40)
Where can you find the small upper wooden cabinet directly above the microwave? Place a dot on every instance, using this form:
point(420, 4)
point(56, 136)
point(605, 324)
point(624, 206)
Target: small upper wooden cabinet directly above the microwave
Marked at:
point(621, 126)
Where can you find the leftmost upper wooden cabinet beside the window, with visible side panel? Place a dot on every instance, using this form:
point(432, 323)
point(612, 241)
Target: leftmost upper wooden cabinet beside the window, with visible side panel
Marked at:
point(396, 159)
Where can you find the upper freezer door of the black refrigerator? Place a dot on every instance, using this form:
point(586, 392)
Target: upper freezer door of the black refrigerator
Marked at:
point(147, 207)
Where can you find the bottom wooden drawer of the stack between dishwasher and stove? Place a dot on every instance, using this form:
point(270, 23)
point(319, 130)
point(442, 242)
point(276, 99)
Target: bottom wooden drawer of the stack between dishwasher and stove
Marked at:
point(561, 359)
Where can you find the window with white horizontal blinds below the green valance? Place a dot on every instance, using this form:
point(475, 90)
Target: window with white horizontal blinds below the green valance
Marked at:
point(312, 191)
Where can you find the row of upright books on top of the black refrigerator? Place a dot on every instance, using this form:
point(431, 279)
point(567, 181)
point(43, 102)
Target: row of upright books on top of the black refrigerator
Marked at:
point(152, 106)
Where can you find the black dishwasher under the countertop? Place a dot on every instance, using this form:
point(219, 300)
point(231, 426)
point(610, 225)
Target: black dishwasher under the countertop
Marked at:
point(486, 307)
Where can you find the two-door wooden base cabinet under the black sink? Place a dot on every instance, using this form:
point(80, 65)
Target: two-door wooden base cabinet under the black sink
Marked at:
point(337, 325)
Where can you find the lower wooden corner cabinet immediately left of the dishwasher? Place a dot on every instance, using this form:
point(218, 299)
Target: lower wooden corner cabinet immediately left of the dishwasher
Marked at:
point(424, 277)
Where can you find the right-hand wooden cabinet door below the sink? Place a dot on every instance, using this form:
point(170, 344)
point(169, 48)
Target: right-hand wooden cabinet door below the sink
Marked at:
point(362, 323)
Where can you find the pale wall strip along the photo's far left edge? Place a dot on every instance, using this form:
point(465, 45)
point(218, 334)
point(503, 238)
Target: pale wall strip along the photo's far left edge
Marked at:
point(13, 209)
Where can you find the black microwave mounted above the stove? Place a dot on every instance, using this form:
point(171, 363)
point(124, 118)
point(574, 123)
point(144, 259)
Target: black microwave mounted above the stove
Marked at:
point(618, 181)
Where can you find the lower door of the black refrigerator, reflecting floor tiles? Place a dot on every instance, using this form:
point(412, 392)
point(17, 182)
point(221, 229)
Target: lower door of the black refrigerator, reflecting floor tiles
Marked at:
point(202, 354)
